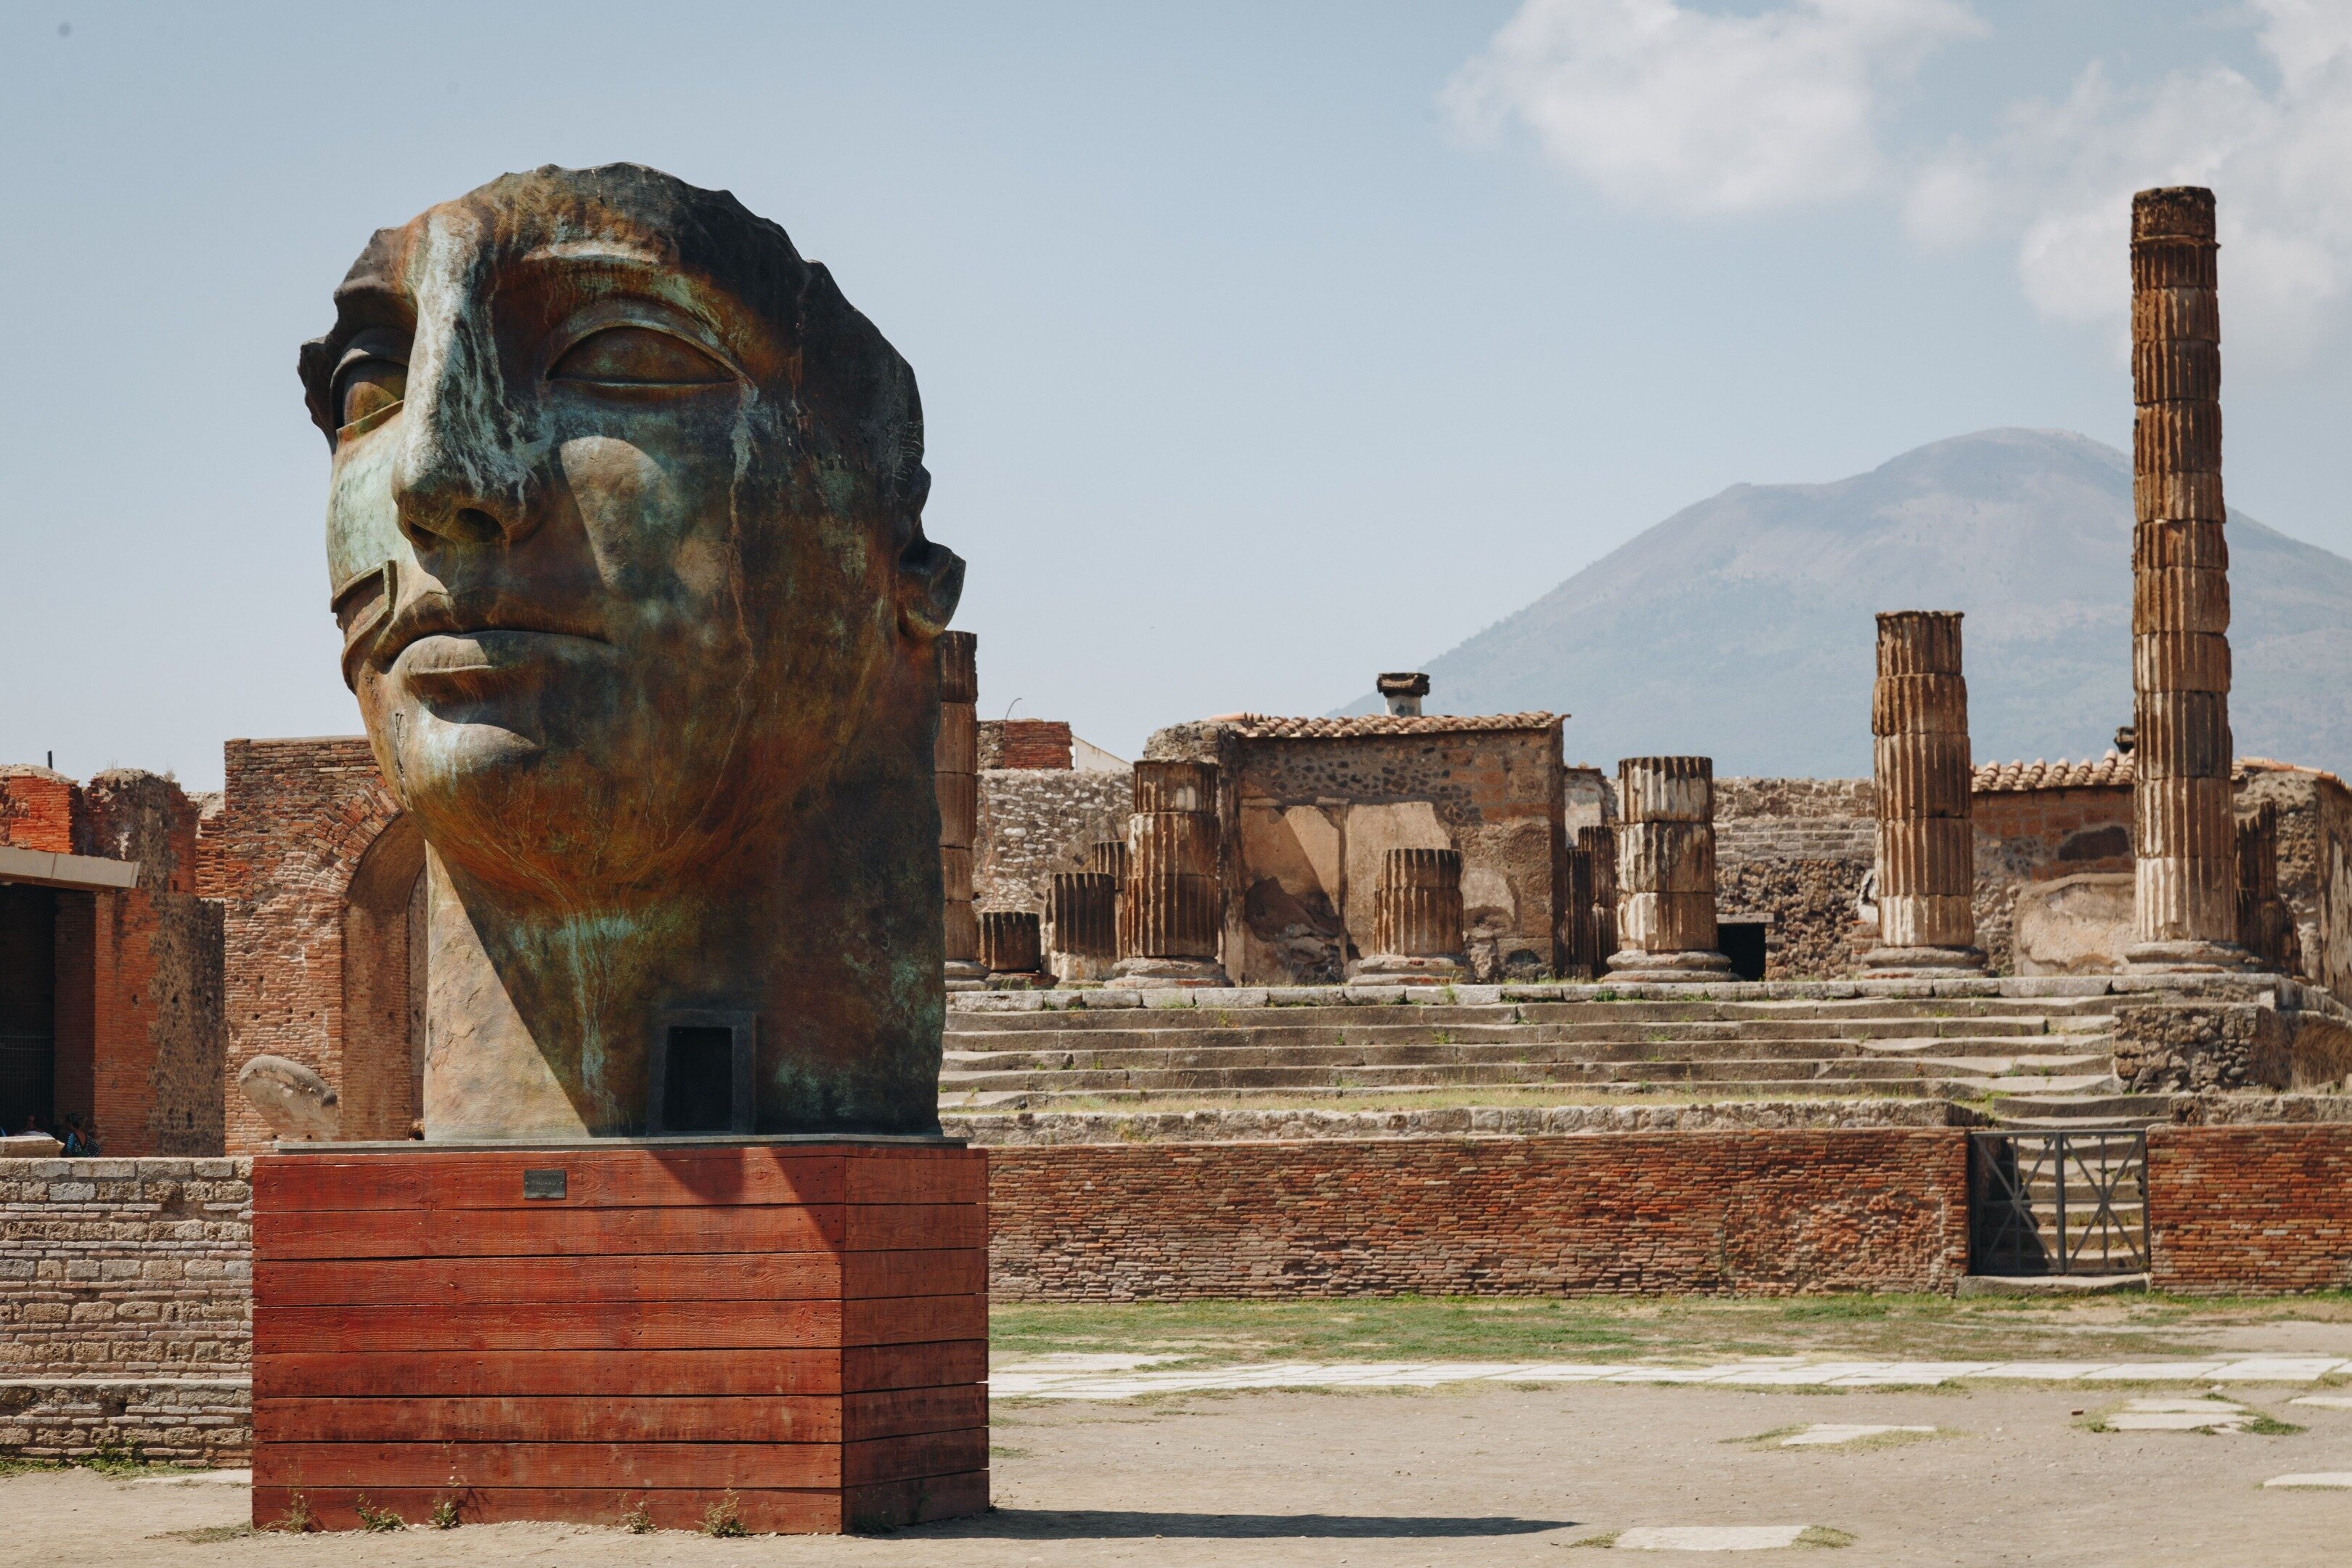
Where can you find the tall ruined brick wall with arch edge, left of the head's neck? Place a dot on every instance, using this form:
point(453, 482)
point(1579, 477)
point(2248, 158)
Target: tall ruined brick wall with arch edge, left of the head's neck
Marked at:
point(293, 831)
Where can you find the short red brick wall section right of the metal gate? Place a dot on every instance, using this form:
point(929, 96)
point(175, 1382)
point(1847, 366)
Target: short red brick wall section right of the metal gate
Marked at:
point(2250, 1209)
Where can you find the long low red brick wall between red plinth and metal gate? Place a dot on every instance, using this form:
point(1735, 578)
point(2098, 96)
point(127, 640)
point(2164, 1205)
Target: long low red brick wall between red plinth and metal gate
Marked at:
point(1615, 1214)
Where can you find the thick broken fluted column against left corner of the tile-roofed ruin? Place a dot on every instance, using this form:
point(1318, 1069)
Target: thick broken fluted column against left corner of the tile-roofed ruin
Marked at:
point(1172, 897)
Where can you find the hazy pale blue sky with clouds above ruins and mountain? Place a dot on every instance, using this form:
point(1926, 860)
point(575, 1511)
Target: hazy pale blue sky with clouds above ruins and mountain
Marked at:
point(1262, 347)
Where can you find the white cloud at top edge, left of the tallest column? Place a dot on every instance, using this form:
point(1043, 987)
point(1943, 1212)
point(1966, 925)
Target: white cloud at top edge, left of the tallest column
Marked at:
point(1669, 107)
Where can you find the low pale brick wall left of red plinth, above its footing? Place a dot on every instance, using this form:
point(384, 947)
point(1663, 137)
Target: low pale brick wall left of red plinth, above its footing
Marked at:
point(119, 1268)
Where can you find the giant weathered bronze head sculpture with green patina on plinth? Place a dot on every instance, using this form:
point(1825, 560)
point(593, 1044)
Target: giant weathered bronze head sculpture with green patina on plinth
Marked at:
point(627, 549)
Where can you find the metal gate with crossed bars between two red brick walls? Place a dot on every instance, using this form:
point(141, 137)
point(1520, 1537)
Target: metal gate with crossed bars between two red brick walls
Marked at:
point(2059, 1202)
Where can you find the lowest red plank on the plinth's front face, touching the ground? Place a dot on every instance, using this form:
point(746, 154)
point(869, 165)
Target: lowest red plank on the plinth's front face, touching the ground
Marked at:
point(763, 1510)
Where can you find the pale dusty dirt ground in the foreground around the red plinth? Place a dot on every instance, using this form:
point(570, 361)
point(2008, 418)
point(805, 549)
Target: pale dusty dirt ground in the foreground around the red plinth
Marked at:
point(1469, 1475)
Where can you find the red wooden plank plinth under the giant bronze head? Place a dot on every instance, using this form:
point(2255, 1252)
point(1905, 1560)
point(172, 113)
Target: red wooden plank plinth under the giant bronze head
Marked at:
point(782, 1329)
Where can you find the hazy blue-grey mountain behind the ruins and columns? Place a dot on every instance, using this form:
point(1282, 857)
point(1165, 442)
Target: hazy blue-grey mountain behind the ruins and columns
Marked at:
point(1742, 629)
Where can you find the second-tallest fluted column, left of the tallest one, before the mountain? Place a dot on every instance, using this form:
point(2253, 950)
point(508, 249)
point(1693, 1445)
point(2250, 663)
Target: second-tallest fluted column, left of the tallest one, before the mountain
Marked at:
point(1927, 840)
